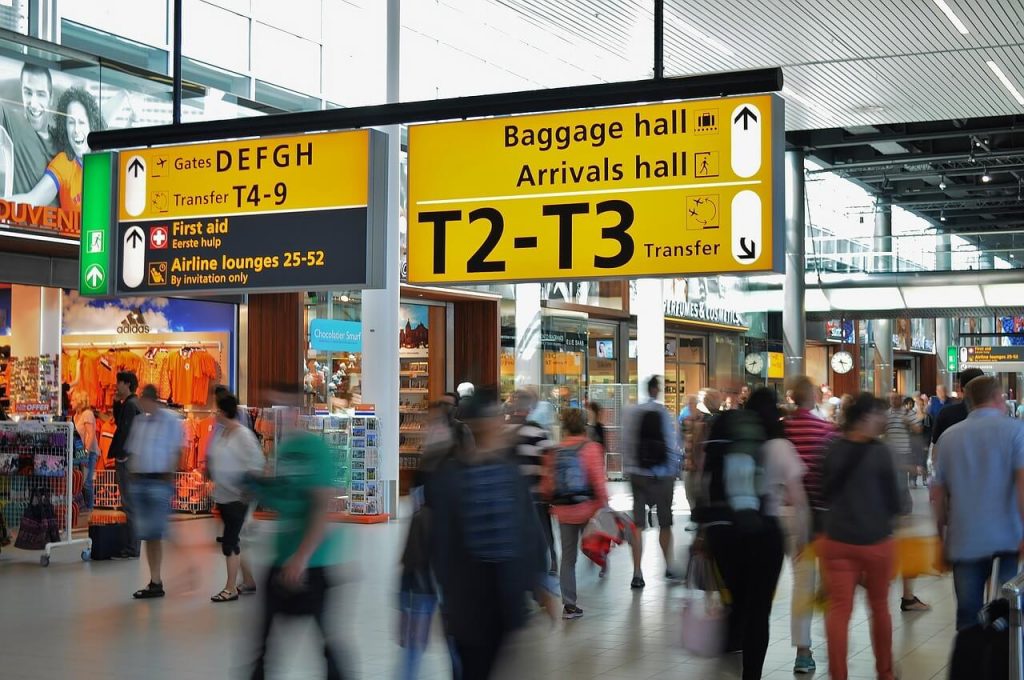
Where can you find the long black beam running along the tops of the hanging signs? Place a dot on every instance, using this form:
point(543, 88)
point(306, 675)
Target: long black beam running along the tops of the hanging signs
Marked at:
point(506, 104)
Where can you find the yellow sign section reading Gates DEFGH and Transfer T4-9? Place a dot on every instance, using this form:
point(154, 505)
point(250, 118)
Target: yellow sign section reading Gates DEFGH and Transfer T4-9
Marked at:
point(275, 175)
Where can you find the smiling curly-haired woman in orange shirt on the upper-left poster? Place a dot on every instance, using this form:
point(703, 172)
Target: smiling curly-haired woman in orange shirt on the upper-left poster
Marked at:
point(78, 114)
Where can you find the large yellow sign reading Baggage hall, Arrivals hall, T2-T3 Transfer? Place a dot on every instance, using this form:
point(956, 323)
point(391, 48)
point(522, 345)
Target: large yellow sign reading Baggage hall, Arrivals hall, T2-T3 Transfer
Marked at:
point(661, 190)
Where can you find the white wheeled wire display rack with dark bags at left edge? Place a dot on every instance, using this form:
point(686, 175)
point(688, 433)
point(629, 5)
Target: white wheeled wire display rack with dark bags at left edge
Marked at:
point(51, 448)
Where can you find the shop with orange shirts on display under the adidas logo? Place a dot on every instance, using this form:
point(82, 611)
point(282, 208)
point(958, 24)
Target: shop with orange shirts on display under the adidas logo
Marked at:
point(62, 353)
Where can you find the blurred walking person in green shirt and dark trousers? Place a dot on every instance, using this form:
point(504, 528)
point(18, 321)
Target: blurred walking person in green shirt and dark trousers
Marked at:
point(306, 549)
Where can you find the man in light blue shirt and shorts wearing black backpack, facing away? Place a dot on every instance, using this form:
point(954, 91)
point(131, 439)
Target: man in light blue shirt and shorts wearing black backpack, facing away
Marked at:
point(653, 460)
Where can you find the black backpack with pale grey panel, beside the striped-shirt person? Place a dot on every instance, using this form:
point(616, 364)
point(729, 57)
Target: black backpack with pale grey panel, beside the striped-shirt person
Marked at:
point(735, 472)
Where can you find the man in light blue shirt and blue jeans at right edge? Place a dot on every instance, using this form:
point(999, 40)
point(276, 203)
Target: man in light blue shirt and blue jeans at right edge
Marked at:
point(978, 494)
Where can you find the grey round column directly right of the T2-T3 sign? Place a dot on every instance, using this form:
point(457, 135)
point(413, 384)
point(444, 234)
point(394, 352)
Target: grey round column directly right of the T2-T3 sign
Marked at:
point(794, 320)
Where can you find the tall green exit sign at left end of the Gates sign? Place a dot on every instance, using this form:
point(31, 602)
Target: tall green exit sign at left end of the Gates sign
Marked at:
point(95, 260)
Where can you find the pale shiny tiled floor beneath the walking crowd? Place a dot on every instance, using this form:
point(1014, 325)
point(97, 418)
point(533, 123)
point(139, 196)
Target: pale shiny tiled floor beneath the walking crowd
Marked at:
point(78, 621)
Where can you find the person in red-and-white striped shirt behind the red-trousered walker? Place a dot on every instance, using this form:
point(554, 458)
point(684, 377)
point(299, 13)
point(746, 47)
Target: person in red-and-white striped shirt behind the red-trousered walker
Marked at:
point(809, 436)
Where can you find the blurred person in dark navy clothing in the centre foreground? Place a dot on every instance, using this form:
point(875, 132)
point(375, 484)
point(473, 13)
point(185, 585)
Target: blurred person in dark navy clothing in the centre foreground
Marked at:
point(486, 547)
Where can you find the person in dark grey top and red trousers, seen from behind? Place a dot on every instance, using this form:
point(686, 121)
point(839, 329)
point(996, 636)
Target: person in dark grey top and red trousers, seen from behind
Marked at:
point(863, 495)
